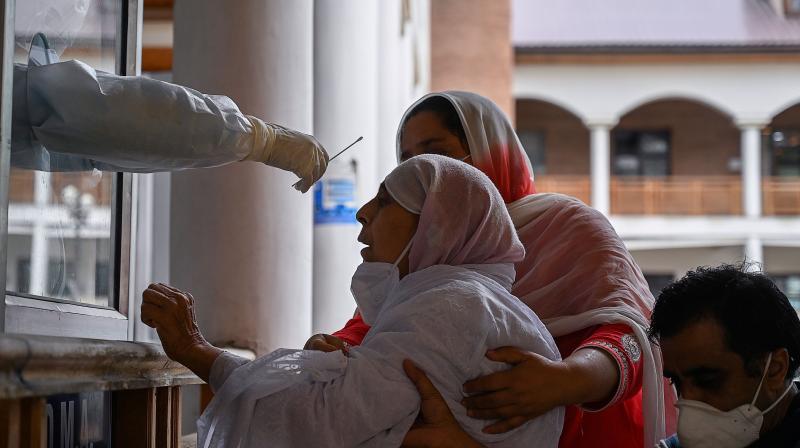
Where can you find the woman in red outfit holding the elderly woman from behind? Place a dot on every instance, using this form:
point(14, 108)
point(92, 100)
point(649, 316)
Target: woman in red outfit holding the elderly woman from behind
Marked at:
point(577, 276)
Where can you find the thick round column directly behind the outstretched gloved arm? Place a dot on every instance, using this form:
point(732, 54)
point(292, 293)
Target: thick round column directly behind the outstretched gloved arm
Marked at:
point(241, 237)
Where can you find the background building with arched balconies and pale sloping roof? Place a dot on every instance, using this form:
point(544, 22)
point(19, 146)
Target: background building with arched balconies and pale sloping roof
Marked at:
point(683, 128)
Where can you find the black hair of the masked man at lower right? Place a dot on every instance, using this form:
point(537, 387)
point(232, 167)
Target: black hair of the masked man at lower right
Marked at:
point(754, 314)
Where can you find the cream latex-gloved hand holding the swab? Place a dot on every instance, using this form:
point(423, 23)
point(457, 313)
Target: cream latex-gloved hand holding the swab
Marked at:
point(288, 150)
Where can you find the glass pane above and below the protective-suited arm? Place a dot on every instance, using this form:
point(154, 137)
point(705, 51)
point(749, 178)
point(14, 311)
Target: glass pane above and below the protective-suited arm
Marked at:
point(60, 223)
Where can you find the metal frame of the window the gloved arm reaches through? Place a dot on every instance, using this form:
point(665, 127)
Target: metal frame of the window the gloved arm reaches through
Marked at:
point(25, 314)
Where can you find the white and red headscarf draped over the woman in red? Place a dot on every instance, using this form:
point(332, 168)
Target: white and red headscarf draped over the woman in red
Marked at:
point(577, 272)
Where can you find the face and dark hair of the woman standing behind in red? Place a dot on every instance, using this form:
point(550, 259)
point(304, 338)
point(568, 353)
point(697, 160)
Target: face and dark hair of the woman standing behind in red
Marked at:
point(424, 133)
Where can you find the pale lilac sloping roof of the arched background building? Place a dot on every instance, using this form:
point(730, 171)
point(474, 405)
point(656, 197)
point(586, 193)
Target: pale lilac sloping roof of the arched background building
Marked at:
point(634, 25)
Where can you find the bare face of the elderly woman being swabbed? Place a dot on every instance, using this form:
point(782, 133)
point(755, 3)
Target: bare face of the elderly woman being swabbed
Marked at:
point(386, 230)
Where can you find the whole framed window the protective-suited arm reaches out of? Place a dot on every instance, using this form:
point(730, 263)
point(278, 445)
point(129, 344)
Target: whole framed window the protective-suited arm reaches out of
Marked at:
point(69, 231)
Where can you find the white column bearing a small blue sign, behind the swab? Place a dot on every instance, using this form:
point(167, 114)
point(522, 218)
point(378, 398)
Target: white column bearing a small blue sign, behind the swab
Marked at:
point(345, 107)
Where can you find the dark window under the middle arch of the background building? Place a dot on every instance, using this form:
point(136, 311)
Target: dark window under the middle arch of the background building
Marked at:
point(641, 153)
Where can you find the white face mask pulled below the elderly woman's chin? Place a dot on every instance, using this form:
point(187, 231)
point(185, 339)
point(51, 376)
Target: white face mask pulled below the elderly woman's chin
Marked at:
point(373, 282)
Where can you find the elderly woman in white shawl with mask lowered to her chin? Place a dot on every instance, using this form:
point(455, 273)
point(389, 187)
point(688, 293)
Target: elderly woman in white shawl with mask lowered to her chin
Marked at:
point(435, 285)
